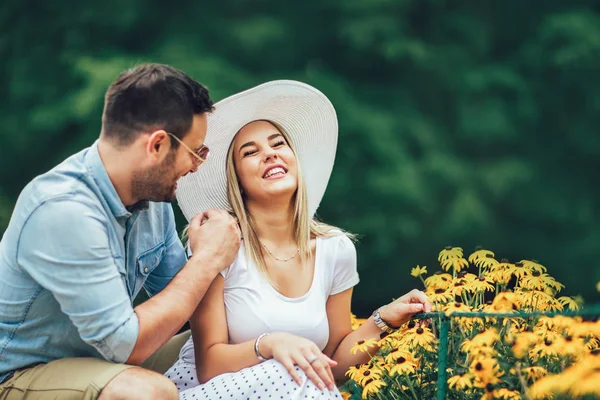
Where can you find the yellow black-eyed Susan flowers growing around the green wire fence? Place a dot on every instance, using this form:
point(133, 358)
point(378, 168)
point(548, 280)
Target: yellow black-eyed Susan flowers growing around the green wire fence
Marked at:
point(489, 357)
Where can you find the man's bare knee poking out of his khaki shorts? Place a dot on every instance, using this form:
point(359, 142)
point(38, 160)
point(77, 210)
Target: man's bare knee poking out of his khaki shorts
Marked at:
point(139, 383)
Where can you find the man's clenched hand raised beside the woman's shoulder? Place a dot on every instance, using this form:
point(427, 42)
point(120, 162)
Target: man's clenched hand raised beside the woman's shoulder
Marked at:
point(214, 239)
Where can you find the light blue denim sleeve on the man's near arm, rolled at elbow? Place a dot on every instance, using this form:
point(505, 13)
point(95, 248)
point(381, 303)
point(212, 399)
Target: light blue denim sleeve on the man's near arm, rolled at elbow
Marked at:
point(64, 246)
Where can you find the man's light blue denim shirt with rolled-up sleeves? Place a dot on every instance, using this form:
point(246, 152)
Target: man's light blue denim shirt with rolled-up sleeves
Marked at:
point(72, 260)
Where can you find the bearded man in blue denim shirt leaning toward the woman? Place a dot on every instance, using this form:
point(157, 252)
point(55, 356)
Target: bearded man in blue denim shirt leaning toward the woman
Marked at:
point(85, 237)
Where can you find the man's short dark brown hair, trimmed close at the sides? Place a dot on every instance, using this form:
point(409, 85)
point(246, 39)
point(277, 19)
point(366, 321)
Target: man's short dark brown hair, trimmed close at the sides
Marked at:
point(151, 97)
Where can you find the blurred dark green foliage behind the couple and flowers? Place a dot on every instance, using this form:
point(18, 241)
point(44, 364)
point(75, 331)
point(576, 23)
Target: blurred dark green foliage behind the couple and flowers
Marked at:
point(461, 122)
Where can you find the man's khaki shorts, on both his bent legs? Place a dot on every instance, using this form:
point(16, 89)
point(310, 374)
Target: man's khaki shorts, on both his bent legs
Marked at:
point(80, 378)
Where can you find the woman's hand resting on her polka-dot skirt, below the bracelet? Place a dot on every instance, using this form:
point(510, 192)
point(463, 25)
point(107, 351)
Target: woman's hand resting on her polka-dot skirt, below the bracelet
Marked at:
point(291, 350)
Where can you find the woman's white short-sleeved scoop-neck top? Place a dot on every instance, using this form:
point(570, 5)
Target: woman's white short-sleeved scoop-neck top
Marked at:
point(254, 307)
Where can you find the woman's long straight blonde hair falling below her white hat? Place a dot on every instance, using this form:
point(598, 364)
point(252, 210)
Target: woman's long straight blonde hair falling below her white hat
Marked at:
point(304, 227)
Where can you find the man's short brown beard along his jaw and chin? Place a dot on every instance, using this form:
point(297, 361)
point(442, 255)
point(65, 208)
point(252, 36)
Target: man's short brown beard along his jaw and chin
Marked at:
point(156, 184)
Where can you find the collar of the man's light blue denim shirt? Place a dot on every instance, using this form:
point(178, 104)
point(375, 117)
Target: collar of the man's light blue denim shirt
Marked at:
point(98, 171)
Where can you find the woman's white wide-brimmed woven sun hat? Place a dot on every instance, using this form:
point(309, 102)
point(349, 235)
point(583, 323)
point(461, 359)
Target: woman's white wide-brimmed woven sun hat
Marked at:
point(304, 113)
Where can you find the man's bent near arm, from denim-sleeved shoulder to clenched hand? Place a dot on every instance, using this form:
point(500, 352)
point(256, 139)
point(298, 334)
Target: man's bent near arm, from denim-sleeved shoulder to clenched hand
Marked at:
point(64, 246)
